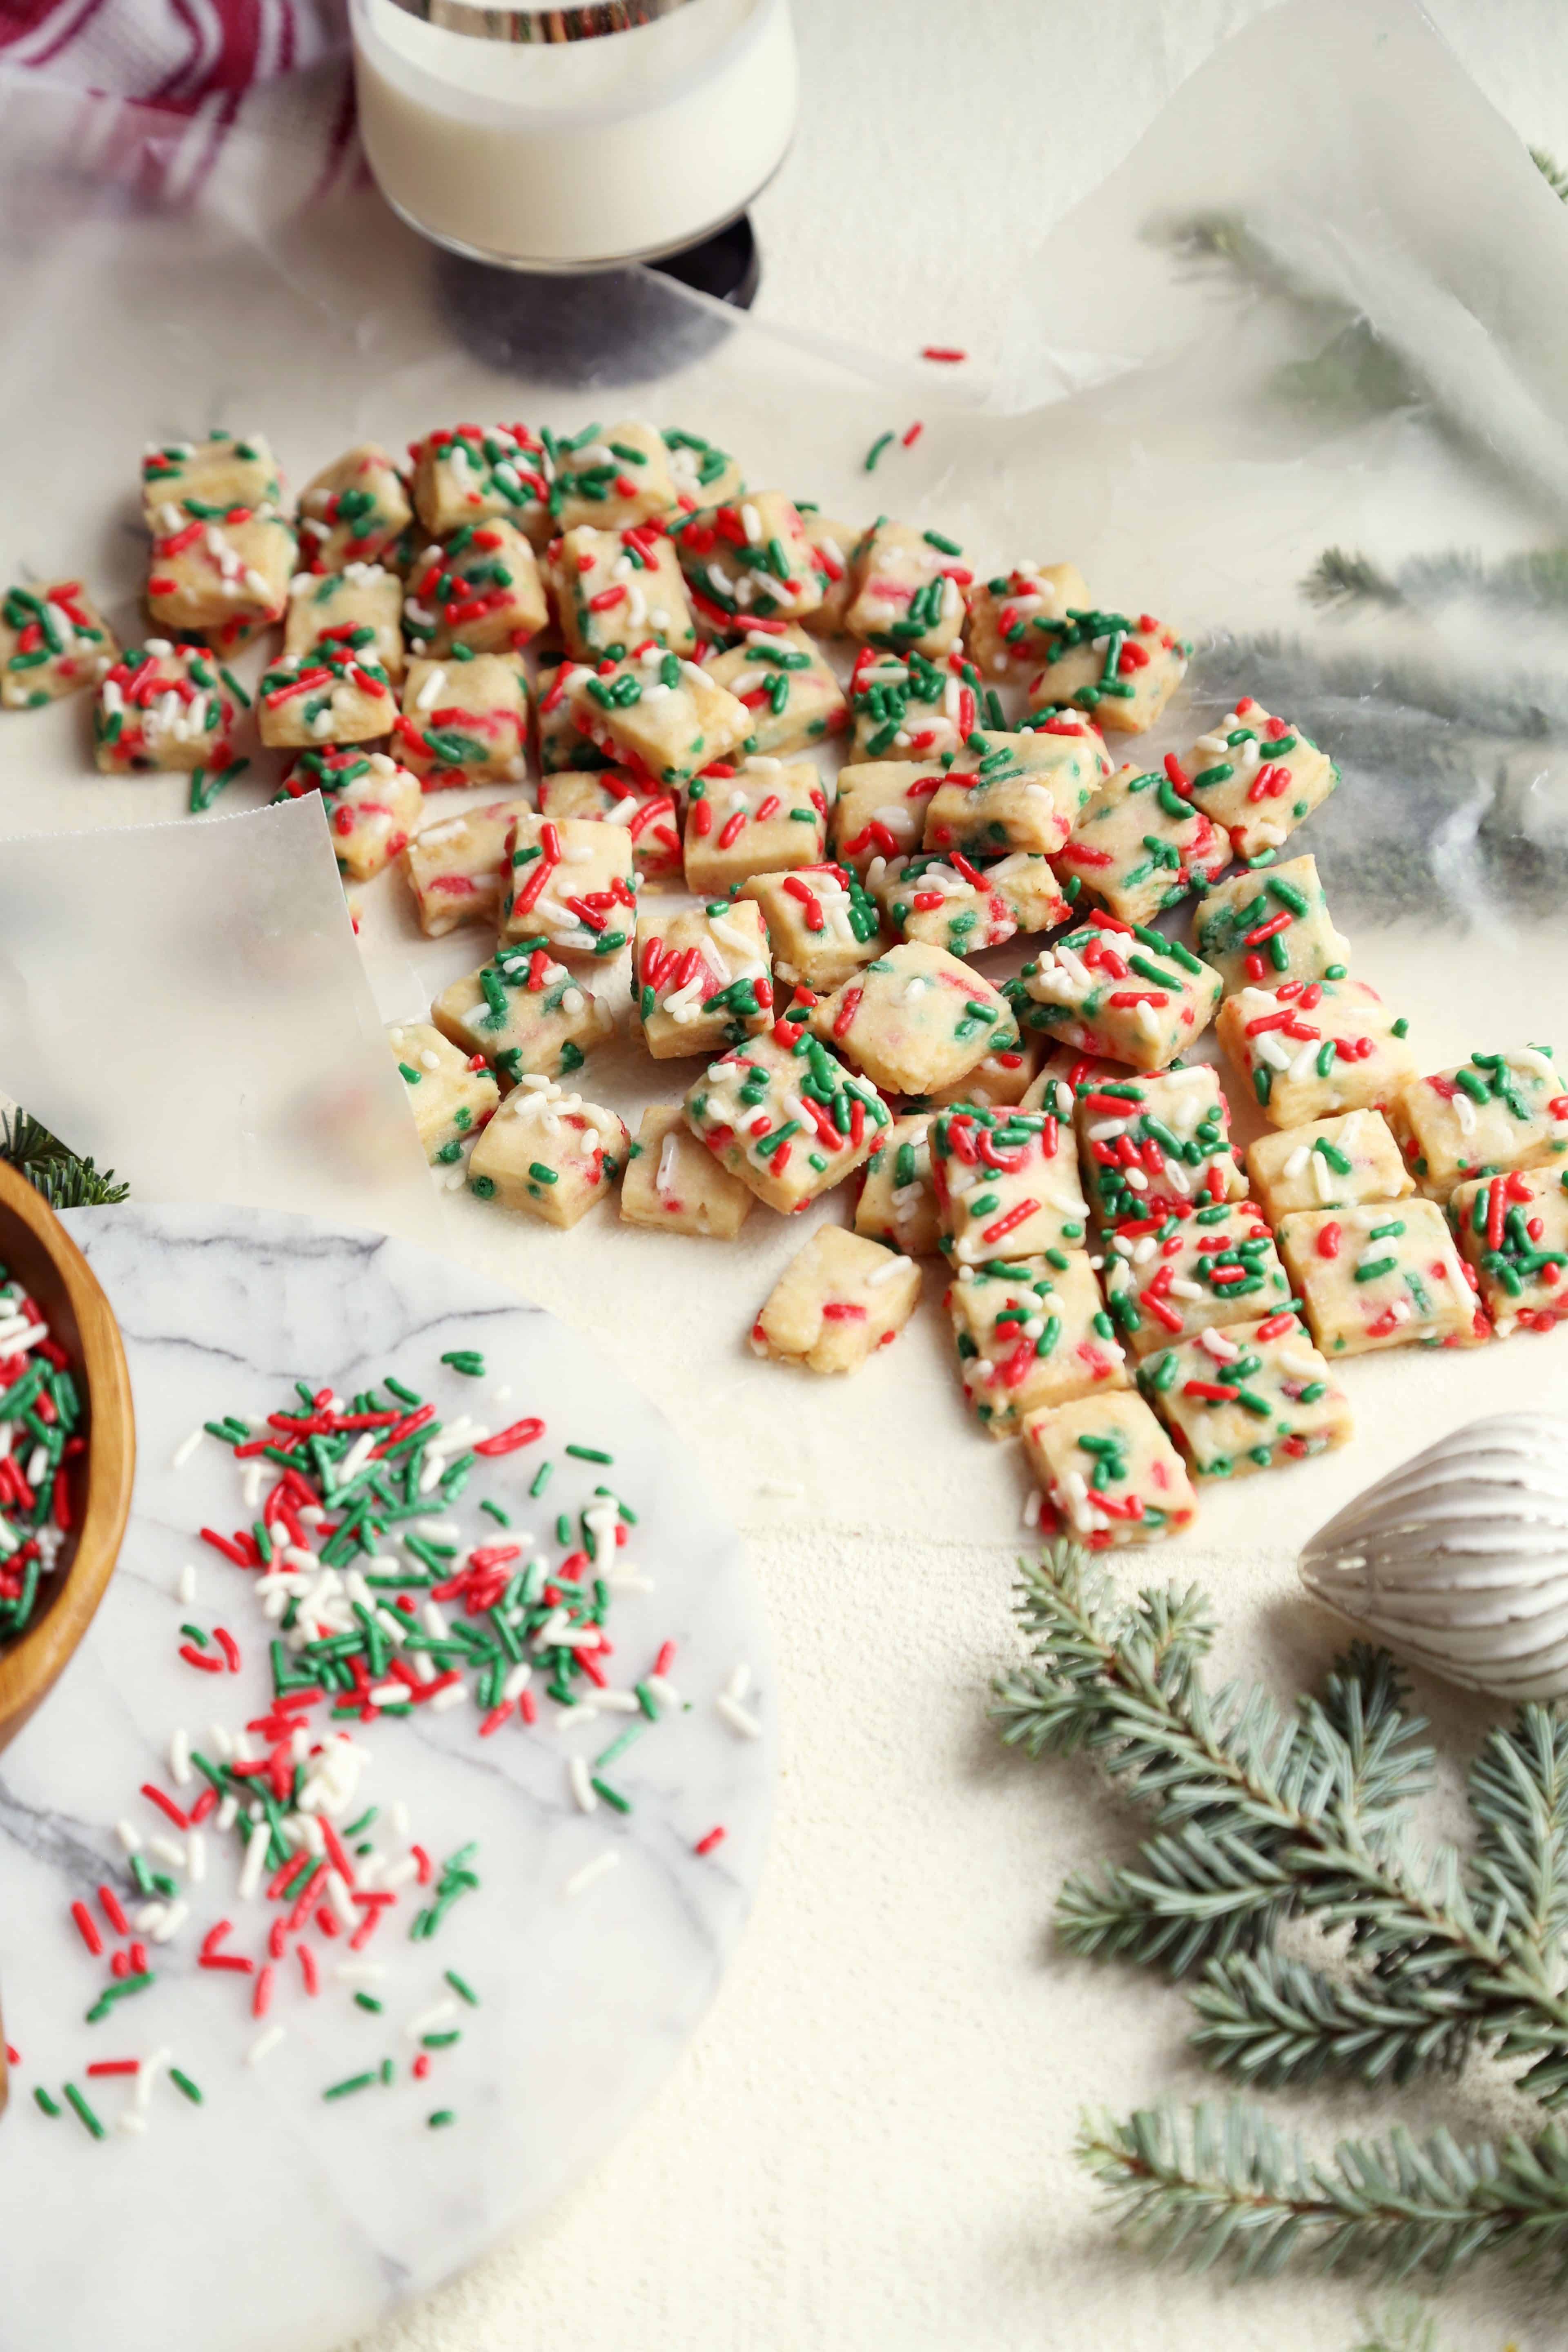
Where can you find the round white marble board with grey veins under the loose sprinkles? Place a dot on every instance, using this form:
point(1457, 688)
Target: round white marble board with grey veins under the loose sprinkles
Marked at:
point(269, 2217)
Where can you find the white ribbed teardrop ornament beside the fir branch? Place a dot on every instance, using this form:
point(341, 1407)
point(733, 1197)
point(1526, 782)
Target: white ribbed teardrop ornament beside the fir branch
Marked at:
point(1461, 1558)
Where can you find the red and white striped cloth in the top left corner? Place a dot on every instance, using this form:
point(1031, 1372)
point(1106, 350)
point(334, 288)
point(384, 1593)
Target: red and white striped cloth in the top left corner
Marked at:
point(180, 95)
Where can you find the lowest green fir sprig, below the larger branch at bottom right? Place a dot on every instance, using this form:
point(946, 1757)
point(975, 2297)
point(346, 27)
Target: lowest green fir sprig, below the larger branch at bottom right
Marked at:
point(1228, 2189)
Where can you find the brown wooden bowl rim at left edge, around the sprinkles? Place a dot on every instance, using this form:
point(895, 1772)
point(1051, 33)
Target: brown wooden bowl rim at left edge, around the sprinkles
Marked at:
point(36, 1248)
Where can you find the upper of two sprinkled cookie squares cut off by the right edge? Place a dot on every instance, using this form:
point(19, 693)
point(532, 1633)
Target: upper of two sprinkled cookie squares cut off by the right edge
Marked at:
point(1487, 1118)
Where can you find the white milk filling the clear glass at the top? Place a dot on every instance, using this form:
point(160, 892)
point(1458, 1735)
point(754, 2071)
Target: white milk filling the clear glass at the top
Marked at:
point(568, 154)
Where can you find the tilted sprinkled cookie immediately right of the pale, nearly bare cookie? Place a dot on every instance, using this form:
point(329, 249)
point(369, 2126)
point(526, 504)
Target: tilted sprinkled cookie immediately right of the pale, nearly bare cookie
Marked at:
point(1123, 994)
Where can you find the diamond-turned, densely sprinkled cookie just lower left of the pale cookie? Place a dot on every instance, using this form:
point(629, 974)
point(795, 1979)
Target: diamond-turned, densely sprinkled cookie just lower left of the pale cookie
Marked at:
point(789, 1121)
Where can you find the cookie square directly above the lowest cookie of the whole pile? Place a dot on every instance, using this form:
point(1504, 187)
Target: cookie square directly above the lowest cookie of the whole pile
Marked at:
point(1031, 1335)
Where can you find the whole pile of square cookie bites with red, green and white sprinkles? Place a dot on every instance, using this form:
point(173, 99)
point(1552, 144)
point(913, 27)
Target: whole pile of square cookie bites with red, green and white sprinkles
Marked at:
point(645, 662)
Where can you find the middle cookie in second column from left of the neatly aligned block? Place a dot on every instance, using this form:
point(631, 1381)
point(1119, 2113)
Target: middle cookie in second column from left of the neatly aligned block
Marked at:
point(1217, 1267)
